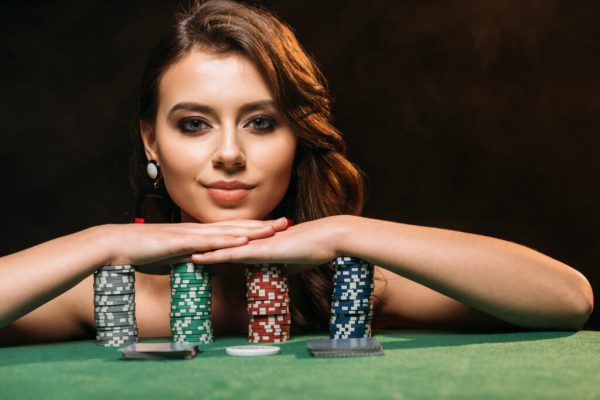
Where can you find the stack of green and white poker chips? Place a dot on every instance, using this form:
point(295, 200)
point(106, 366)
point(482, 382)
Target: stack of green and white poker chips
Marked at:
point(191, 303)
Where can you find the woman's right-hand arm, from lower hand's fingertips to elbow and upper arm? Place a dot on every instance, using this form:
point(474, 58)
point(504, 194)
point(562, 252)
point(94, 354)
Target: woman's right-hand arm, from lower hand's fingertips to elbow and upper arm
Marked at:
point(505, 280)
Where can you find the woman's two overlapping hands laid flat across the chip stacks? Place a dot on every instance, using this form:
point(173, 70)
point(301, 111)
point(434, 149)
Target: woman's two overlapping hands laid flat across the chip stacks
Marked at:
point(157, 246)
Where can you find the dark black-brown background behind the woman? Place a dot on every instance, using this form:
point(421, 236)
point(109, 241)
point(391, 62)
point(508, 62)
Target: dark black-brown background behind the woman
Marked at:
point(480, 116)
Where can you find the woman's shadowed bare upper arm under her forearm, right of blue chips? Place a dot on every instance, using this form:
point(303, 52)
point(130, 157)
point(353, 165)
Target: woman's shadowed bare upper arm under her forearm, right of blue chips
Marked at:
point(401, 302)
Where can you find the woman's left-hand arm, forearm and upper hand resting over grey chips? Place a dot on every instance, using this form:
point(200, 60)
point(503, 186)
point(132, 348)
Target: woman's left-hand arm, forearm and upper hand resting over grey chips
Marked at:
point(36, 275)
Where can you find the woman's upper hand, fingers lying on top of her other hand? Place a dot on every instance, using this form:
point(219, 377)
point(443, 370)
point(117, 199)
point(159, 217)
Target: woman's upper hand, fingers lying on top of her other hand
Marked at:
point(151, 247)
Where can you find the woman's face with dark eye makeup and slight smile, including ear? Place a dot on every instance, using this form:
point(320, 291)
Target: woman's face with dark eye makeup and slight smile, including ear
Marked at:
point(225, 150)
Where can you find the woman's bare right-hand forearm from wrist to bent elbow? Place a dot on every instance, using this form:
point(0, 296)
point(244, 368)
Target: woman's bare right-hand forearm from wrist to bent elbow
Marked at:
point(503, 279)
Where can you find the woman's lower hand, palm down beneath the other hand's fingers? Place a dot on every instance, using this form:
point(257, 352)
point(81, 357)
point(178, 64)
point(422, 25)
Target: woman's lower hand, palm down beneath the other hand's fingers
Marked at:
point(313, 243)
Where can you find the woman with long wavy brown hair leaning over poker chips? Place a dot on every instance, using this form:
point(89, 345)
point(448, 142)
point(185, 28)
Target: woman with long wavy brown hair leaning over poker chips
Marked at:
point(234, 123)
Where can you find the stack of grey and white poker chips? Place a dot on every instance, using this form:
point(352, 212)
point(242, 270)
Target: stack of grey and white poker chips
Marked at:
point(114, 305)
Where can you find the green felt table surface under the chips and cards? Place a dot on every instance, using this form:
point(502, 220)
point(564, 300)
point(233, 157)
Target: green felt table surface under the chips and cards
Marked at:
point(415, 365)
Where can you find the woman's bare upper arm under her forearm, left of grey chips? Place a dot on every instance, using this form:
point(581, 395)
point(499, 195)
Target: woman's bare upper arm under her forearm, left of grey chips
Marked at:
point(66, 317)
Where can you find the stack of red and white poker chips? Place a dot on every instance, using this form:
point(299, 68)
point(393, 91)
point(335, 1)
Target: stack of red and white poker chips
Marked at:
point(268, 304)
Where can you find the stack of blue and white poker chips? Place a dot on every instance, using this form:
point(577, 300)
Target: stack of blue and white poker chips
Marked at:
point(352, 304)
